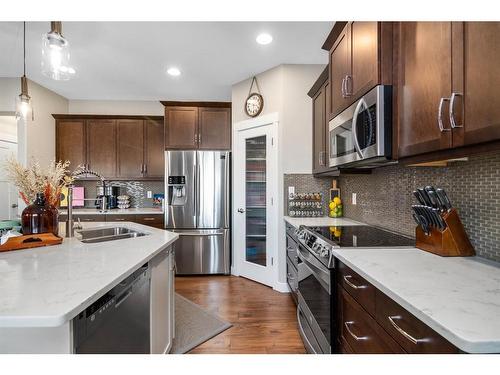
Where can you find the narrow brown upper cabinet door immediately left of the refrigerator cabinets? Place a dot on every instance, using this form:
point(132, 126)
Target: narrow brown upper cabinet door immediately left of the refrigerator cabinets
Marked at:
point(155, 148)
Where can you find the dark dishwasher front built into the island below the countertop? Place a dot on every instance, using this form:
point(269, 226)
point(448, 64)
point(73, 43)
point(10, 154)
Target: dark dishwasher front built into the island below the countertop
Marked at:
point(119, 321)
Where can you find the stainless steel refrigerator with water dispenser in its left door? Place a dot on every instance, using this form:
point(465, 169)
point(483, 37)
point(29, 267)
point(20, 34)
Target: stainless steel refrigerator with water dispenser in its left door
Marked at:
point(197, 208)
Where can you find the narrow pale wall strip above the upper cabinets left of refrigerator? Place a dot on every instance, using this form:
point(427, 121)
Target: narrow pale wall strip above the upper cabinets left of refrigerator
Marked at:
point(116, 107)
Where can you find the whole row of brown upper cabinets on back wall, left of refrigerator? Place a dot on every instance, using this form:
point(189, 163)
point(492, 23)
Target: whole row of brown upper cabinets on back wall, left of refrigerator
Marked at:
point(119, 147)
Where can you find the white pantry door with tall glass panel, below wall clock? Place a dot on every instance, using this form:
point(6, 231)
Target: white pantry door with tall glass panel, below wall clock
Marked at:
point(255, 206)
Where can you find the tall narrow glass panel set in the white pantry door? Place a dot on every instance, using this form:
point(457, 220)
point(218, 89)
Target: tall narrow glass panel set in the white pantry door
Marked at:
point(255, 184)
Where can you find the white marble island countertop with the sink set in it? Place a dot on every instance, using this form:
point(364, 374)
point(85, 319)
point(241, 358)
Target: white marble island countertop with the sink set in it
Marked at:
point(47, 286)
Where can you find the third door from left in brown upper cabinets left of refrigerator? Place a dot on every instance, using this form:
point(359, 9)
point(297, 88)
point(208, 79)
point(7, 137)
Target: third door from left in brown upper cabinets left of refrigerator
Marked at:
point(130, 156)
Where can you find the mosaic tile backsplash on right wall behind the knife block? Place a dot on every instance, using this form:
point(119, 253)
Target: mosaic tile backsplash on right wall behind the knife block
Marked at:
point(384, 197)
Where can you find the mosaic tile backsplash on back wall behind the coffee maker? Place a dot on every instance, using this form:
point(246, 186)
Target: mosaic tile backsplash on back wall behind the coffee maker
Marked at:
point(137, 190)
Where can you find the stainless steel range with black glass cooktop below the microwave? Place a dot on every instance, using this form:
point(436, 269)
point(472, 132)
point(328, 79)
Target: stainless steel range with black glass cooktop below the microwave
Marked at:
point(316, 276)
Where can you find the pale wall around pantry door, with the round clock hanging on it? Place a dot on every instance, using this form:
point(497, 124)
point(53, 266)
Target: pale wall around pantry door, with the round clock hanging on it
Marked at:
point(284, 89)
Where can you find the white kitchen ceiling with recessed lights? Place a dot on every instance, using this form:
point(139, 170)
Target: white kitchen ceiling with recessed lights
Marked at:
point(128, 60)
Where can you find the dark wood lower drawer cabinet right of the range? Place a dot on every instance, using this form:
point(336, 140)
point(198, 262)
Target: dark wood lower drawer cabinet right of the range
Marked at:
point(368, 321)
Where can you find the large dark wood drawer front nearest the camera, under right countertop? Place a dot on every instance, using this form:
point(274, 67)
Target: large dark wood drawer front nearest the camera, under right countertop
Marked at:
point(412, 334)
